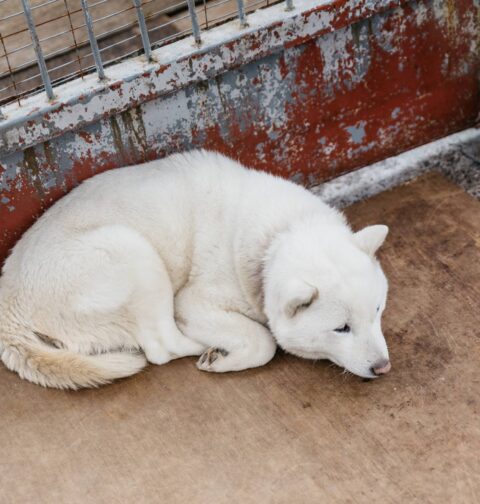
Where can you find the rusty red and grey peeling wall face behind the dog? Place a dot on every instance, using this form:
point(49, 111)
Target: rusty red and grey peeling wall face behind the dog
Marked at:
point(316, 107)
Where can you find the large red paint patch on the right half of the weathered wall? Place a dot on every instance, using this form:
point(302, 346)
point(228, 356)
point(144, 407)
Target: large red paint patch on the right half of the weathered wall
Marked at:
point(401, 108)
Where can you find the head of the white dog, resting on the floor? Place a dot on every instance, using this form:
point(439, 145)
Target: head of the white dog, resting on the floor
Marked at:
point(325, 293)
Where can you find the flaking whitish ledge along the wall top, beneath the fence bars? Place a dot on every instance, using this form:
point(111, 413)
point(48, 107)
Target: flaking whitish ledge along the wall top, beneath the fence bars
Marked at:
point(176, 66)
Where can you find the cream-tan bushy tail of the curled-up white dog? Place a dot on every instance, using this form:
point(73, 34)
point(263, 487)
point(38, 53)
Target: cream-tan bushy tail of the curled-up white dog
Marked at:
point(44, 364)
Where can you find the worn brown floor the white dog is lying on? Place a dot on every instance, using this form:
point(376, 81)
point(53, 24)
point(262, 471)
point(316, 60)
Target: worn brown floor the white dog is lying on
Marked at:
point(293, 431)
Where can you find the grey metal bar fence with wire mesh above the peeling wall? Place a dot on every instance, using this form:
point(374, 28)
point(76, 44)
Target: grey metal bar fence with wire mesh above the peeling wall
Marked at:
point(46, 42)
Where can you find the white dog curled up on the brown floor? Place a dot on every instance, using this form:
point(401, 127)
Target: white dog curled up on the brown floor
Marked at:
point(190, 255)
